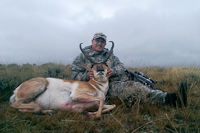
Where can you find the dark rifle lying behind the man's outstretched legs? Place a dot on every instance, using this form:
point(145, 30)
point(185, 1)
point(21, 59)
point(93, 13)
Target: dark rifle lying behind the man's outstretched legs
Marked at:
point(140, 77)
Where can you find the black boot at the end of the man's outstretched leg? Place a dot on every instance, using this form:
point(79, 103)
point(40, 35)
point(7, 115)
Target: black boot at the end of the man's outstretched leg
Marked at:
point(178, 98)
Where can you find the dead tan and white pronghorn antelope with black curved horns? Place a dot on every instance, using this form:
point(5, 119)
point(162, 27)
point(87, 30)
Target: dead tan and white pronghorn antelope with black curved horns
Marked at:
point(43, 94)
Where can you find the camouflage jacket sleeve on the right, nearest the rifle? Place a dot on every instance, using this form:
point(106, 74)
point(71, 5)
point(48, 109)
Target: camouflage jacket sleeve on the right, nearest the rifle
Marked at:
point(118, 67)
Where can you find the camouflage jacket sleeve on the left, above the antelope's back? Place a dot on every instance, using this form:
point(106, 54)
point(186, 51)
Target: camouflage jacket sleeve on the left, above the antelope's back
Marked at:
point(78, 72)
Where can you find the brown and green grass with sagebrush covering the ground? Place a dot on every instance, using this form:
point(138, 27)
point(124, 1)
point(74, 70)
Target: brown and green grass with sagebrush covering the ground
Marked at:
point(140, 117)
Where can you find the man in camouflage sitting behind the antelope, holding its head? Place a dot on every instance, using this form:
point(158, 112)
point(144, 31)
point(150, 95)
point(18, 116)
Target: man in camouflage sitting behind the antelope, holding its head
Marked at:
point(119, 83)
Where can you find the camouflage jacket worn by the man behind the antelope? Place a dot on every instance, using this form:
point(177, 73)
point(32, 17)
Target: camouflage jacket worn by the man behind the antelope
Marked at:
point(78, 72)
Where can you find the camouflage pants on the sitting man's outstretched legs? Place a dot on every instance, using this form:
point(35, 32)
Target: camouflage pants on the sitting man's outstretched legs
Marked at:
point(125, 90)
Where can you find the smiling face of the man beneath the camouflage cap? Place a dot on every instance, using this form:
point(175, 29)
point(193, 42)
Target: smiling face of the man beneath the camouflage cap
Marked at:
point(98, 44)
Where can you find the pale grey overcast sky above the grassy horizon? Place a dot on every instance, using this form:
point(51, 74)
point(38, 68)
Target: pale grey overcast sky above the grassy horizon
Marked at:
point(145, 32)
